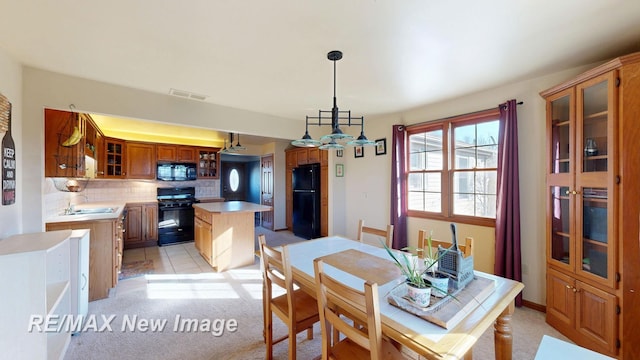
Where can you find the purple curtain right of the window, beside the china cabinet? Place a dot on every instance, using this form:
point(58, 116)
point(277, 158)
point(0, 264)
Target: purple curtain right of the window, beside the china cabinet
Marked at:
point(508, 261)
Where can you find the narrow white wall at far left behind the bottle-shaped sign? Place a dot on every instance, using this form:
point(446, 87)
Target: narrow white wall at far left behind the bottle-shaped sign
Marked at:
point(11, 87)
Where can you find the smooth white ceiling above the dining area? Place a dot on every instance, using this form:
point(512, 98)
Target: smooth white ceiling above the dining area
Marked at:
point(270, 56)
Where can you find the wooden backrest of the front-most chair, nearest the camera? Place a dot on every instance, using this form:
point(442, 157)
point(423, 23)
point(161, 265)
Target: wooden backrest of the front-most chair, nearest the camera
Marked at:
point(336, 299)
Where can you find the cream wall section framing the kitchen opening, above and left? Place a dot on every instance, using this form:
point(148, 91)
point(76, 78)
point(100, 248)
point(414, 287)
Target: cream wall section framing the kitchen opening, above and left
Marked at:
point(43, 89)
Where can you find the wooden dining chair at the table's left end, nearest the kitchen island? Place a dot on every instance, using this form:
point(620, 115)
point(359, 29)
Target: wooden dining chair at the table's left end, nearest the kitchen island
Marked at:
point(297, 309)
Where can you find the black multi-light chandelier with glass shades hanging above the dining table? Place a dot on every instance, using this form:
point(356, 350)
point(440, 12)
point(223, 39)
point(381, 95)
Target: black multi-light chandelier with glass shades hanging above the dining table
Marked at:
point(335, 139)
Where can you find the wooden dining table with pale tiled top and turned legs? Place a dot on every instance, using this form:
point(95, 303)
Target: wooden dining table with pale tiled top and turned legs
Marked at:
point(351, 262)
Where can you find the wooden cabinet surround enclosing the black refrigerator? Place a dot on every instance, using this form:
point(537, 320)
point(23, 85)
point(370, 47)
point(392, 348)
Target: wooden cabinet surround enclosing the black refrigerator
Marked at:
point(302, 156)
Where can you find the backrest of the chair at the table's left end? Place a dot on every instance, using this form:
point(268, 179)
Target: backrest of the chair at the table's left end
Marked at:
point(276, 270)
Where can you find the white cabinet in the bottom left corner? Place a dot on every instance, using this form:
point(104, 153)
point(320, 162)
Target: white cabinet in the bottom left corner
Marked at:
point(35, 284)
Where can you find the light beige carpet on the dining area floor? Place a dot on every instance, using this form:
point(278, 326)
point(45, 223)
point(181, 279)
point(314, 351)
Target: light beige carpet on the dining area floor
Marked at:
point(232, 295)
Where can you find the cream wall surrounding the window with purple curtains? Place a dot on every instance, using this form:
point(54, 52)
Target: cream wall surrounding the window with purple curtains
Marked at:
point(366, 191)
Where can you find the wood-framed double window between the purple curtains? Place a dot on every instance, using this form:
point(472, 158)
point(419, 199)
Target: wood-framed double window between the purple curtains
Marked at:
point(452, 168)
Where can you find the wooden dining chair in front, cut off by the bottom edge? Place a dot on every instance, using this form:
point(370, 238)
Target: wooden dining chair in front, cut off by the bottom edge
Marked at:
point(358, 342)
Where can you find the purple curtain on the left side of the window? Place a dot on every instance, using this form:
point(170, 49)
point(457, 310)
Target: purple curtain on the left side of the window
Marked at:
point(398, 188)
